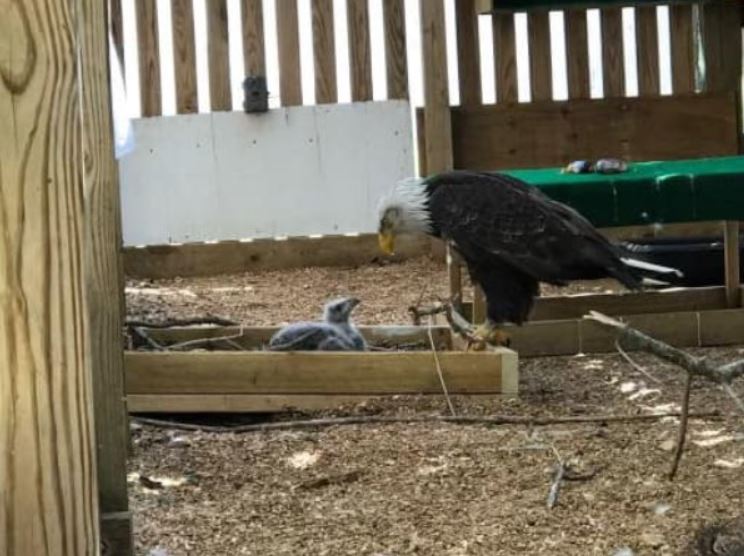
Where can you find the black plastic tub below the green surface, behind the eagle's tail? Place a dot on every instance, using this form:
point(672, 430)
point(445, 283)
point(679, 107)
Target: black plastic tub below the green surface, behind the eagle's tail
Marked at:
point(699, 258)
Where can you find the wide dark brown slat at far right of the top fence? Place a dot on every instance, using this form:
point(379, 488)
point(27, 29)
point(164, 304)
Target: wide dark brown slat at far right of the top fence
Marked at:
point(721, 26)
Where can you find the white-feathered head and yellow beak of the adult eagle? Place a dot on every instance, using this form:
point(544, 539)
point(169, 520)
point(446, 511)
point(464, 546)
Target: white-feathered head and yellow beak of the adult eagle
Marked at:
point(404, 210)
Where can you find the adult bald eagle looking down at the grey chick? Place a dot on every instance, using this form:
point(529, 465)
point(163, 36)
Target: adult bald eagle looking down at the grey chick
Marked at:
point(511, 237)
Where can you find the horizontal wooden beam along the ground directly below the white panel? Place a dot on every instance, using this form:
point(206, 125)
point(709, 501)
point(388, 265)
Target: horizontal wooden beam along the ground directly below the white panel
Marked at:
point(224, 257)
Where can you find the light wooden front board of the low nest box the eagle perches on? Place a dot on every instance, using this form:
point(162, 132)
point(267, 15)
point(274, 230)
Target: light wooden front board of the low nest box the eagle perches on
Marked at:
point(319, 372)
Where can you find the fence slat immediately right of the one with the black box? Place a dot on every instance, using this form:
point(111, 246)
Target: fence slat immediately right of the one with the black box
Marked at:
point(290, 86)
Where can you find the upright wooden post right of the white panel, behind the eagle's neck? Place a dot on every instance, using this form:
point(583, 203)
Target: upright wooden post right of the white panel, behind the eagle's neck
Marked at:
point(437, 116)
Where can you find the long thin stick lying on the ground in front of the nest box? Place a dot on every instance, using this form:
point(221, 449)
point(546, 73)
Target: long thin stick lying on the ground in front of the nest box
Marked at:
point(491, 420)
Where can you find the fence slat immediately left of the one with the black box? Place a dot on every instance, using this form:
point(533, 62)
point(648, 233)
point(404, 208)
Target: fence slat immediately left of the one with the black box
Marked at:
point(218, 50)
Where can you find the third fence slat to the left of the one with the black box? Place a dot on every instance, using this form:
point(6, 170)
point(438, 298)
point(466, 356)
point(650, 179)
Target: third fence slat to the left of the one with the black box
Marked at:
point(149, 58)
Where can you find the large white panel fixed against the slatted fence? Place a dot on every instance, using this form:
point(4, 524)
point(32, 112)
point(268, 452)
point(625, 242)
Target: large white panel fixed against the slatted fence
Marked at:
point(295, 171)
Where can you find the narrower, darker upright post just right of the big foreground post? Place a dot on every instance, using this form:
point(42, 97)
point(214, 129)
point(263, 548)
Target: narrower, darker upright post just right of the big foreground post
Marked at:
point(104, 283)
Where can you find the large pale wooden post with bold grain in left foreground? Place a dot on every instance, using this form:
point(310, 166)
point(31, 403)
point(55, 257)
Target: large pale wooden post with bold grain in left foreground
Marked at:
point(48, 486)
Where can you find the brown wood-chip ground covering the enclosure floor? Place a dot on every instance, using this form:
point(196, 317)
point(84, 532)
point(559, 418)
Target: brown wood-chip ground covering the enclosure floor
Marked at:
point(431, 488)
